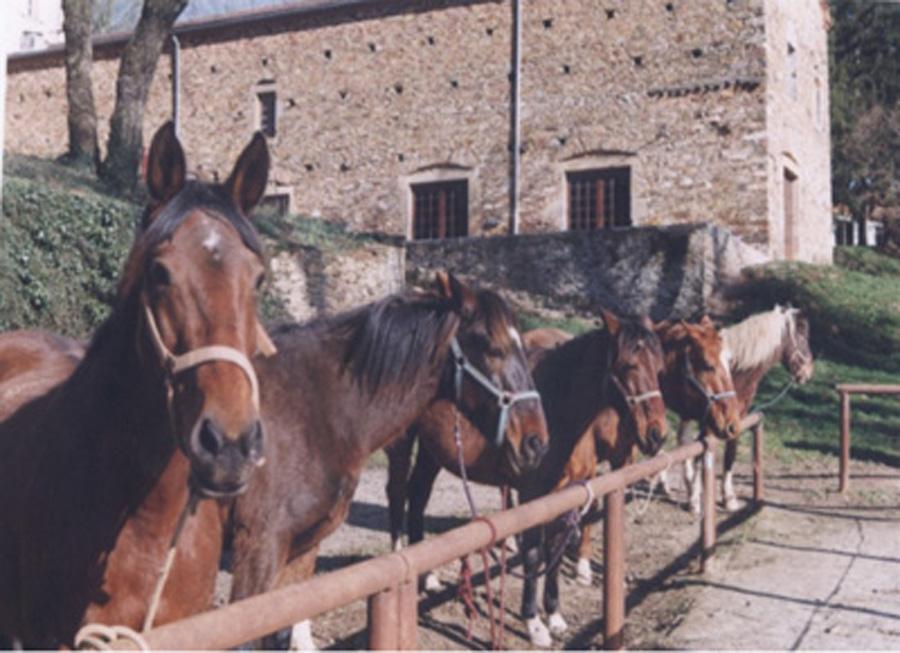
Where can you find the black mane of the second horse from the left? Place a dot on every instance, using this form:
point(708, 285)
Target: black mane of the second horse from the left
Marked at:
point(386, 343)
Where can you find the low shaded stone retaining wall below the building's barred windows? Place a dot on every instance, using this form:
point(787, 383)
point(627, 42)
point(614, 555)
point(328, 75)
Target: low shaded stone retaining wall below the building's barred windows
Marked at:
point(664, 272)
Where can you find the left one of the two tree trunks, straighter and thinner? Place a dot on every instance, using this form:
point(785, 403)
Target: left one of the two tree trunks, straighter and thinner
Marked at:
point(82, 117)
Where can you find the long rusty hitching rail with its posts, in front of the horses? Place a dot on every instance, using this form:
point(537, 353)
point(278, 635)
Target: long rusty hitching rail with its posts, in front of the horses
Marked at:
point(389, 582)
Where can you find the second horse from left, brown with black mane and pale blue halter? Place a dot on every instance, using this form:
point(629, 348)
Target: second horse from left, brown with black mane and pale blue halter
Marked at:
point(366, 375)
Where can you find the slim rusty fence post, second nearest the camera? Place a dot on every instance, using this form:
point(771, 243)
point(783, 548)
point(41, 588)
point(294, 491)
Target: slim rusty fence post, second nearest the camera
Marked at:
point(614, 570)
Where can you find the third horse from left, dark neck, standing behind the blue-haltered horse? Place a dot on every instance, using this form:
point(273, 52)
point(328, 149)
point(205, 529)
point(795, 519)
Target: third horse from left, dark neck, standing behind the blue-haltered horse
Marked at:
point(613, 367)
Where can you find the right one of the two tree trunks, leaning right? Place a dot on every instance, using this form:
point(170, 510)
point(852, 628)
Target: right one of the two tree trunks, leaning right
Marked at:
point(136, 70)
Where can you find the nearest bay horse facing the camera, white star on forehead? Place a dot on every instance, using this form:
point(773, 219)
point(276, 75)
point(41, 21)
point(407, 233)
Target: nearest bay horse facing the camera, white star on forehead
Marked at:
point(97, 459)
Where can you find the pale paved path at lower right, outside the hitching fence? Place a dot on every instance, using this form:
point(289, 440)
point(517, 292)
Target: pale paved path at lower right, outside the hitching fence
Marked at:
point(814, 571)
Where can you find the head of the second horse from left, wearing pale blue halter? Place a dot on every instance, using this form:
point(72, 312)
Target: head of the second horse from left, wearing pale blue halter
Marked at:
point(491, 379)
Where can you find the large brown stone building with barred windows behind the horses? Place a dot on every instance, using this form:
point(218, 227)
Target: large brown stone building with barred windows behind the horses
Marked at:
point(399, 116)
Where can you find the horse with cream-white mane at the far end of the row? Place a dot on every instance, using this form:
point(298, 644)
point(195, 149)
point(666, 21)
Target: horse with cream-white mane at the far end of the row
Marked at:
point(753, 347)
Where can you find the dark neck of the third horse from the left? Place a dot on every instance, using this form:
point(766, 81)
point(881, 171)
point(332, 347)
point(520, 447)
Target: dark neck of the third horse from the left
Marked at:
point(568, 378)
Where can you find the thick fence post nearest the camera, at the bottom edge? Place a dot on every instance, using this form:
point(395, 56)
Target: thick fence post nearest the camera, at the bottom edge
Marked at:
point(393, 619)
